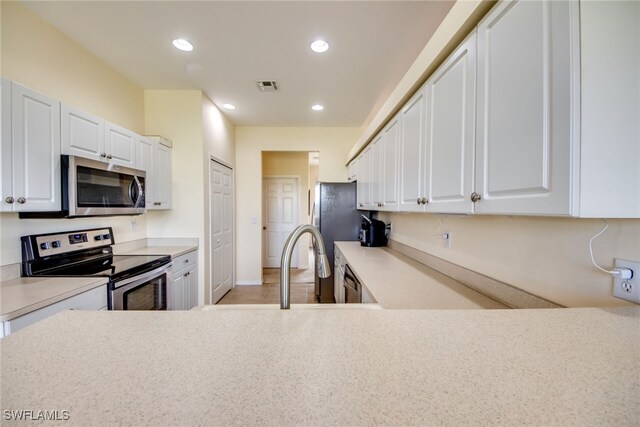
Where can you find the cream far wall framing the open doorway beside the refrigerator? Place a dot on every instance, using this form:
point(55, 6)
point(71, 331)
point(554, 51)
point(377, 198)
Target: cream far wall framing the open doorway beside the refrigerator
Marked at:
point(333, 145)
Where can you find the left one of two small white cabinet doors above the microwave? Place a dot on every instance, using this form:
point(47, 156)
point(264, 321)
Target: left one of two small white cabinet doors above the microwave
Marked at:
point(82, 134)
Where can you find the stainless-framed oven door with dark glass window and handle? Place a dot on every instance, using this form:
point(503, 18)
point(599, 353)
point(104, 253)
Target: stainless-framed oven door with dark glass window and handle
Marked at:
point(147, 291)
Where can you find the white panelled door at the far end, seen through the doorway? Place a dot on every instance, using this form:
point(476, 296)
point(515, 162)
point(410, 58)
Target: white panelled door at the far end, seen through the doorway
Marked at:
point(280, 218)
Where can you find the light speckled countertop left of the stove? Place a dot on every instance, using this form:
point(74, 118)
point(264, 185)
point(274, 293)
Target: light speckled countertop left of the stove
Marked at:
point(26, 294)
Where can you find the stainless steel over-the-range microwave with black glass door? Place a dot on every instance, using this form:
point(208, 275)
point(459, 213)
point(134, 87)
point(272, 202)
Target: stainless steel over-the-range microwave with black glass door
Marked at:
point(93, 188)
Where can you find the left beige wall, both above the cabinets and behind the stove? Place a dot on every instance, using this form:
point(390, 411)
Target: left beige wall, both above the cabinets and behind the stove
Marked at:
point(37, 55)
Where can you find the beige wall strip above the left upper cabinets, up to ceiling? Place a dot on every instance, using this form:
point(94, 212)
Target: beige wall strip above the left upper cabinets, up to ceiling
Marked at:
point(39, 56)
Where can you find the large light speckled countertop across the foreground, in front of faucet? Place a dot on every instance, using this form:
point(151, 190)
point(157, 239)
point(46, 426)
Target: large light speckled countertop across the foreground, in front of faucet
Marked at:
point(329, 367)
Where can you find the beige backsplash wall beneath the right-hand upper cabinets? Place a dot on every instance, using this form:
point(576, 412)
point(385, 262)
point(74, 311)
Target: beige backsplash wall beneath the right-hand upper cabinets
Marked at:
point(548, 257)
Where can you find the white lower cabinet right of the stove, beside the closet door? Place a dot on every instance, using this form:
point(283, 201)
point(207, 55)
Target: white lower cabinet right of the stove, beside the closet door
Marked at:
point(184, 284)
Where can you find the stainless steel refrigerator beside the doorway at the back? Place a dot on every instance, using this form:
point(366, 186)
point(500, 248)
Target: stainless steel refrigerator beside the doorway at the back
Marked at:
point(335, 215)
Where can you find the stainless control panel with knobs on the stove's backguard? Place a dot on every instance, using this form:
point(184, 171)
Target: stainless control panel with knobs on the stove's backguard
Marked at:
point(54, 244)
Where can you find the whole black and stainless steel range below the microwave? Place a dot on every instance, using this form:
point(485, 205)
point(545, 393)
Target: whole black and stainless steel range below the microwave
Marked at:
point(136, 282)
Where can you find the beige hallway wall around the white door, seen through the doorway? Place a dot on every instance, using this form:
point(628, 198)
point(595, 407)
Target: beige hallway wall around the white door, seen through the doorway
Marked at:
point(292, 164)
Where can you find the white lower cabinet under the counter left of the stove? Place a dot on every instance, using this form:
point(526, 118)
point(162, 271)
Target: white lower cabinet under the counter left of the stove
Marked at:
point(94, 299)
